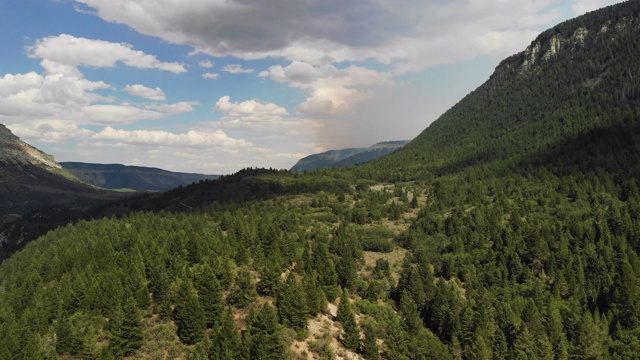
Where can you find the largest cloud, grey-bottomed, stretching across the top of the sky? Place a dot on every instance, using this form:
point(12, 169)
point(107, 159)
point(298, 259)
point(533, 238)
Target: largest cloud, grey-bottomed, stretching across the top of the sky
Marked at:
point(337, 31)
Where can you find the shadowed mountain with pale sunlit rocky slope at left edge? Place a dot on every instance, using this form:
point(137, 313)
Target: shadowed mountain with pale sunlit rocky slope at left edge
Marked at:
point(37, 193)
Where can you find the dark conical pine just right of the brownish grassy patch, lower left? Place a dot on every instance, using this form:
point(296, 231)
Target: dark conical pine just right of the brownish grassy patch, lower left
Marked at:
point(189, 315)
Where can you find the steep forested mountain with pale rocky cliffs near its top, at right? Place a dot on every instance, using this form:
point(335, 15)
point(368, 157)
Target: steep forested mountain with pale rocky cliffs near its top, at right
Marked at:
point(575, 78)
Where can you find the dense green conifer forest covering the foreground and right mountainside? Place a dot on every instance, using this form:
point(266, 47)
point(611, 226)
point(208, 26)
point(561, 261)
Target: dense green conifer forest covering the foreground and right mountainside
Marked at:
point(509, 229)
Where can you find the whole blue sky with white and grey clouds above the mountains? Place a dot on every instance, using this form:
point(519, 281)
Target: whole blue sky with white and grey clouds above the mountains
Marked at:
point(214, 86)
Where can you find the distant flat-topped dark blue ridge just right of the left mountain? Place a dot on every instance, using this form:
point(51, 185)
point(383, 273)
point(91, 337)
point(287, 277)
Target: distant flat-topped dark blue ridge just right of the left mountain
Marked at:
point(117, 176)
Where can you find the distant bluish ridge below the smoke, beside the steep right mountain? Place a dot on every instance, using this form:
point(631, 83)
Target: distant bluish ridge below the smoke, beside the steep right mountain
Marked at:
point(344, 157)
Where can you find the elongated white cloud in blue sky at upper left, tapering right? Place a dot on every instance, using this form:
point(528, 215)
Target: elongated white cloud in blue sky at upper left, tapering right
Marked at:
point(62, 54)
